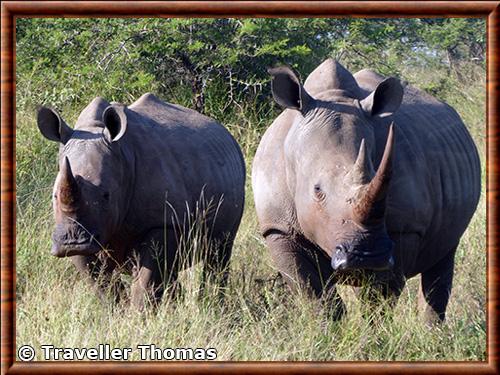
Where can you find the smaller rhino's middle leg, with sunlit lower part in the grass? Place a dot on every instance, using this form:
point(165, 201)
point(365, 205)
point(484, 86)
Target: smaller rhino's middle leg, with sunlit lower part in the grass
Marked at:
point(155, 268)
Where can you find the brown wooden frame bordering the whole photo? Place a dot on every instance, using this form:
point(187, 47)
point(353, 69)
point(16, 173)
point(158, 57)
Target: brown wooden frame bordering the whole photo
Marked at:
point(12, 9)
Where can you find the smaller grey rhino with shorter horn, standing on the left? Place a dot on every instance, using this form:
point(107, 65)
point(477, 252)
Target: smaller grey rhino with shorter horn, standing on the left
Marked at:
point(131, 181)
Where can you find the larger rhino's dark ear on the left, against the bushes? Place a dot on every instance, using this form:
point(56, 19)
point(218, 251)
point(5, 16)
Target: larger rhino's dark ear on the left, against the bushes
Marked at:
point(288, 91)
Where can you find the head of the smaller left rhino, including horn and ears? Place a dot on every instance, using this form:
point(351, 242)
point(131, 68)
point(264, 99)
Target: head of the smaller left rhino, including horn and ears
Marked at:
point(88, 191)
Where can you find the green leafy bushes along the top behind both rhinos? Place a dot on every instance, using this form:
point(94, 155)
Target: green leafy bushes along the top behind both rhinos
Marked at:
point(69, 61)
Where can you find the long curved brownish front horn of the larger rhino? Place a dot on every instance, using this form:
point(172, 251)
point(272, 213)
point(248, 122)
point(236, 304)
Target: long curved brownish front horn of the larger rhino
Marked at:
point(370, 207)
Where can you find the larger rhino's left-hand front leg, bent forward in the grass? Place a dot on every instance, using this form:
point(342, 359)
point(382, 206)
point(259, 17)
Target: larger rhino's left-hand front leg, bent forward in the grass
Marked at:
point(305, 270)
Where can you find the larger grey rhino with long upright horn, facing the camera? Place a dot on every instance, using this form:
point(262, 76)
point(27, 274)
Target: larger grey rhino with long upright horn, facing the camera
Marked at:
point(363, 181)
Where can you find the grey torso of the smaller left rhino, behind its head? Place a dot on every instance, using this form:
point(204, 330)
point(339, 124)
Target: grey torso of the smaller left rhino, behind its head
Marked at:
point(182, 157)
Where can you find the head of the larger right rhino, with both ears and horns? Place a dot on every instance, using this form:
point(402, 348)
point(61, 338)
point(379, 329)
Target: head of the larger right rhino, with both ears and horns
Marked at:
point(330, 150)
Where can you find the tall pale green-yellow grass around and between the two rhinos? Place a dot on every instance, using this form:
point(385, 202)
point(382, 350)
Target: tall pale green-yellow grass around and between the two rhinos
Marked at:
point(259, 320)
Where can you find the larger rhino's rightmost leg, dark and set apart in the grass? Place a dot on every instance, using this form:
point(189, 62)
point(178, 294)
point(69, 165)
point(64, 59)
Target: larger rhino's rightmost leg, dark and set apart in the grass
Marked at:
point(435, 289)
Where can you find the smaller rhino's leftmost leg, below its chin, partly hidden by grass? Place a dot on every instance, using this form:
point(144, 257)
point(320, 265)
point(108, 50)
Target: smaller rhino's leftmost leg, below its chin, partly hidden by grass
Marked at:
point(100, 274)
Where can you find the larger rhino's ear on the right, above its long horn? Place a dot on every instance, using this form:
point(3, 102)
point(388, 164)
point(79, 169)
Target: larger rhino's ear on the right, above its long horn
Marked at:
point(385, 100)
